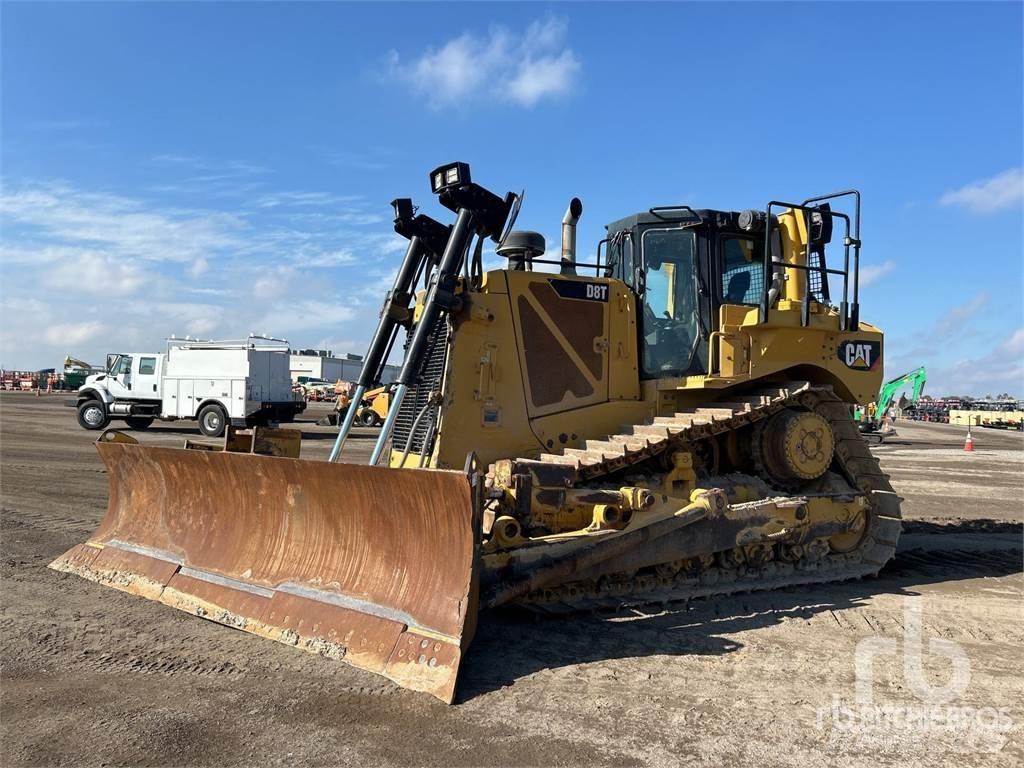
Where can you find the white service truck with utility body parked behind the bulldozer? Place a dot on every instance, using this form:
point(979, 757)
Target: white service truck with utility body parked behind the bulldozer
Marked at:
point(244, 383)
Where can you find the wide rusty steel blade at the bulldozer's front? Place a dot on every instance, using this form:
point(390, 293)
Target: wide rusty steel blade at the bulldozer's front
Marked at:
point(374, 567)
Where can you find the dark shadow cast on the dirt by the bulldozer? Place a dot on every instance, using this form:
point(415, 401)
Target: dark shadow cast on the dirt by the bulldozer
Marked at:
point(513, 644)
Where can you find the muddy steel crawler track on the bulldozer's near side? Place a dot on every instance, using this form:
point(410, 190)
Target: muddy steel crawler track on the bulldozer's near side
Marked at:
point(601, 459)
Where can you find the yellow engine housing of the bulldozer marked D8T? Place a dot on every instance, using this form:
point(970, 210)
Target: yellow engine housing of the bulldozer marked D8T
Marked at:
point(535, 364)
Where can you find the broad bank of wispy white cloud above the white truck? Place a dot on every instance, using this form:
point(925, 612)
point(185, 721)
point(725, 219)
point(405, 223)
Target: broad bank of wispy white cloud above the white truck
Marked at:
point(114, 272)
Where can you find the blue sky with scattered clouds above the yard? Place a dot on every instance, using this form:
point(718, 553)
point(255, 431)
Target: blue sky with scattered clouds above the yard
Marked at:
point(220, 169)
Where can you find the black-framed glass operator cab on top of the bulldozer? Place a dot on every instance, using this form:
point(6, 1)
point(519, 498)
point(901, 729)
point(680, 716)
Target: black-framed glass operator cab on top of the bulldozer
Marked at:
point(684, 266)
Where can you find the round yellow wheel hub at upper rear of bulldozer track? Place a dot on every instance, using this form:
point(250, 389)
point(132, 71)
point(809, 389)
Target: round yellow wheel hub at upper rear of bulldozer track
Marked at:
point(794, 447)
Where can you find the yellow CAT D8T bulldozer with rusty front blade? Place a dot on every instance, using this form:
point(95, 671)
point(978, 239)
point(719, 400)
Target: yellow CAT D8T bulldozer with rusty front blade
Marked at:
point(669, 421)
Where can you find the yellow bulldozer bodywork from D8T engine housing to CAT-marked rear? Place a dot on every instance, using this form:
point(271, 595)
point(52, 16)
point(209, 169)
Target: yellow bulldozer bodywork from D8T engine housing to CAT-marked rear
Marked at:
point(530, 372)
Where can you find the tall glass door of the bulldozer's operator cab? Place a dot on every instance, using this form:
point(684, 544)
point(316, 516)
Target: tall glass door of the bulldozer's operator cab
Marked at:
point(670, 302)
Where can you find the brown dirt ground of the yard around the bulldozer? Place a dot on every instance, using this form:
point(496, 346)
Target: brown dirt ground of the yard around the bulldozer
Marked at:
point(92, 676)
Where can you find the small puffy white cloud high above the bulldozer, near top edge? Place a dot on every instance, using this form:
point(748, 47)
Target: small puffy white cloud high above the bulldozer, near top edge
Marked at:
point(504, 67)
